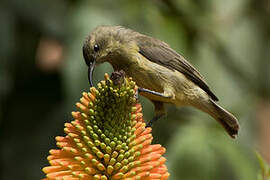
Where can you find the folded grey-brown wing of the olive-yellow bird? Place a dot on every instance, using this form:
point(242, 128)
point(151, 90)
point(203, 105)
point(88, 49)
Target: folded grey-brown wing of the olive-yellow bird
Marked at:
point(161, 53)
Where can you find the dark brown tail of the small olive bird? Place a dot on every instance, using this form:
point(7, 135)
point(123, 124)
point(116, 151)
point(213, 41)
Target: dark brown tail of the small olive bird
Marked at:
point(226, 119)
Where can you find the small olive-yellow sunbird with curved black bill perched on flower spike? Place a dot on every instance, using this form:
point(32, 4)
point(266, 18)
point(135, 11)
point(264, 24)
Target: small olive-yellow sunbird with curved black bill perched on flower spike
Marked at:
point(162, 74)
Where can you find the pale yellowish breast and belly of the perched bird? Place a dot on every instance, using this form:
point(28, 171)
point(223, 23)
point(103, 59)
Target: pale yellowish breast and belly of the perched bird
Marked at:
point(155, 77)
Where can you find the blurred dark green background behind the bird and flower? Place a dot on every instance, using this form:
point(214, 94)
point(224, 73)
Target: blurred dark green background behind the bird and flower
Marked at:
point(42, 75)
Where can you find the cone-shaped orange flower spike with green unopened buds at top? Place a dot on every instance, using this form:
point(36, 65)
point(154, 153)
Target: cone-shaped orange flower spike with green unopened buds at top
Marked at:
point(107, 139)
